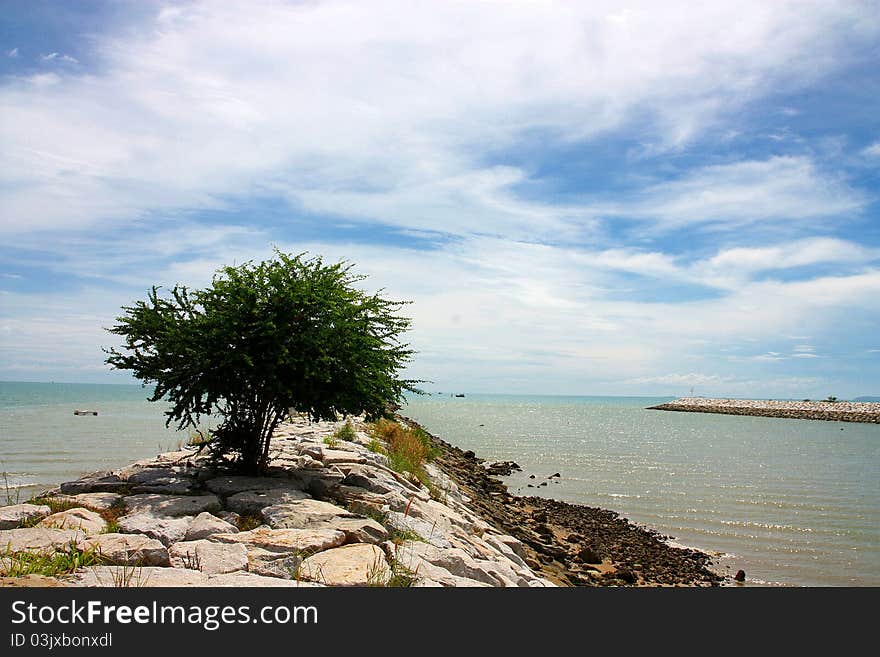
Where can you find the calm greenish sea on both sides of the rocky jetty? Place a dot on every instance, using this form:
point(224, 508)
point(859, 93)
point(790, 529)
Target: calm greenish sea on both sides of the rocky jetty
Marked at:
point(791, 502)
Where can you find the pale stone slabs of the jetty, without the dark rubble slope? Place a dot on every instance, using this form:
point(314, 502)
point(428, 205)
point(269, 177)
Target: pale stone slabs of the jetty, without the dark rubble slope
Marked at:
point(324, 516)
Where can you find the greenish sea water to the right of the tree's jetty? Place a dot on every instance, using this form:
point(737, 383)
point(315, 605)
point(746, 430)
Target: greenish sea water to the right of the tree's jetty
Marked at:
point(791, 502)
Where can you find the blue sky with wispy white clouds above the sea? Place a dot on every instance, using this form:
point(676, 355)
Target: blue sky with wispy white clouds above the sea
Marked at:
point(621, 198)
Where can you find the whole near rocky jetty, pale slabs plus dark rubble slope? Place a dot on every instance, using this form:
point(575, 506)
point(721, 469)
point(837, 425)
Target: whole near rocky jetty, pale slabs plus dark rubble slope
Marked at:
point(330, 513)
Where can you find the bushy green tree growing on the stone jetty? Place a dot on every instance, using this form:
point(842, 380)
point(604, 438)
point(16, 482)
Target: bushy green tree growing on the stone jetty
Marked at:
point(288, 334)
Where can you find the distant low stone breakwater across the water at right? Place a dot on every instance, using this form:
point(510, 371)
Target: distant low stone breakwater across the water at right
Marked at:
point(839, 411)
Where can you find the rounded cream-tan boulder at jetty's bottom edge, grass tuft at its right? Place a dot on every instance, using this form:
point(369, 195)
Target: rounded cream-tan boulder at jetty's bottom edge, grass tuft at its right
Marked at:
point(350, 565)
